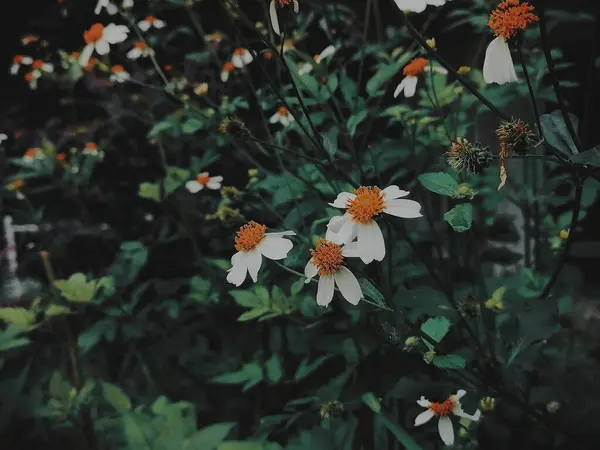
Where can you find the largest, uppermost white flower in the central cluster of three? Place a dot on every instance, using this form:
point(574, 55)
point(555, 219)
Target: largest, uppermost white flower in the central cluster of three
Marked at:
point(361, 209)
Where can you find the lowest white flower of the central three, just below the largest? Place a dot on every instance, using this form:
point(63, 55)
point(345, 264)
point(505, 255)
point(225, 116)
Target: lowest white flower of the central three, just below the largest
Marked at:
point(327, 262)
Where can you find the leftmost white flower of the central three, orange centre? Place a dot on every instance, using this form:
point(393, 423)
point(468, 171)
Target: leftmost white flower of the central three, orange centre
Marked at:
point(252, 243)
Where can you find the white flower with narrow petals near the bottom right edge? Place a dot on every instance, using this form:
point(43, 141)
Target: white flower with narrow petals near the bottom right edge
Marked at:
point(443, 411)
